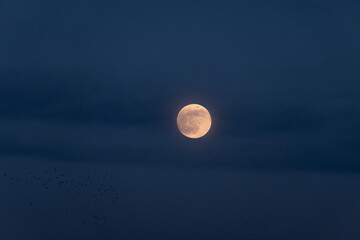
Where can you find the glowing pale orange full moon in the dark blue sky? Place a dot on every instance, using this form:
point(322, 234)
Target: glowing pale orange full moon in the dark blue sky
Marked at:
point(194, 121)
